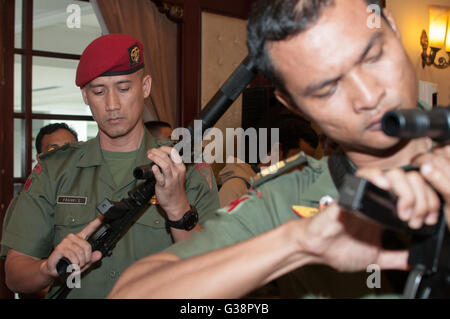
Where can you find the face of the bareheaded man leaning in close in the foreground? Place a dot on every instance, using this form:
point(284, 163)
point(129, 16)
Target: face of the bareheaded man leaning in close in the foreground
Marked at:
point(345, 76)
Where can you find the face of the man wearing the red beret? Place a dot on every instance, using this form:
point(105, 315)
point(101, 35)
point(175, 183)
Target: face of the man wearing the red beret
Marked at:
point(117, 102)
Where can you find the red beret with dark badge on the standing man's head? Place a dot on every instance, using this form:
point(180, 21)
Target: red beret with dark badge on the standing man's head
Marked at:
point(112, 54)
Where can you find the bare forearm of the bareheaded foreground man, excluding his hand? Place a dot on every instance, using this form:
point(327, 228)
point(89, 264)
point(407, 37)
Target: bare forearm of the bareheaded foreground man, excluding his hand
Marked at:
point(226, 273)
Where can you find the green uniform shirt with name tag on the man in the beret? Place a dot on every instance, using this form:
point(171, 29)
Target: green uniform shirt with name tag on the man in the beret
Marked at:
point(61, 196)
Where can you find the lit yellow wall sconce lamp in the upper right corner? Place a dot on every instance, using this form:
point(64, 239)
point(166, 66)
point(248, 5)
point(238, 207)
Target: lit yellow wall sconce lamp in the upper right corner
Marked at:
point(439, 39)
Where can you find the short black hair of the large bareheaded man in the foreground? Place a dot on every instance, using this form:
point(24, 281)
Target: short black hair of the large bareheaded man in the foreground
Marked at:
point(277, 20)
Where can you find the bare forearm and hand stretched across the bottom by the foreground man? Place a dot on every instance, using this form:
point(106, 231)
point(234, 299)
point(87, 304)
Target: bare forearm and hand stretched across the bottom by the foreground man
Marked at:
point(236, 270)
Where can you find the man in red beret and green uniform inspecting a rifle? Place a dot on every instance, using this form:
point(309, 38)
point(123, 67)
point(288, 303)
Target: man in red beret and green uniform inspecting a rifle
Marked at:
point(56, 212)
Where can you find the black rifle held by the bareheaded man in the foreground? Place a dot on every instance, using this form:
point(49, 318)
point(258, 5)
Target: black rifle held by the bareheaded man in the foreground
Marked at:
point(429, 253)
